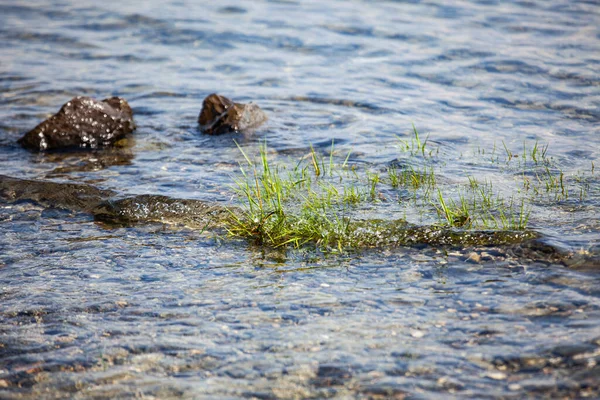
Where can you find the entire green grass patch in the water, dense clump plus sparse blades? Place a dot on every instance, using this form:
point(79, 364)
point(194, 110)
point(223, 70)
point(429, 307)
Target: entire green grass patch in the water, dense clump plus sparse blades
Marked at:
point(317, 200)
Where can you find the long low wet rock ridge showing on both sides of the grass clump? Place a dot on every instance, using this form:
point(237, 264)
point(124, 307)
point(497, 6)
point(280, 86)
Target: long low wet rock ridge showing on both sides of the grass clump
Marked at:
point(106, 206)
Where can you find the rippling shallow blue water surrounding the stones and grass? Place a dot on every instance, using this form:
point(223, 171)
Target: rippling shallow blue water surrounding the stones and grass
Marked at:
point(154, 311)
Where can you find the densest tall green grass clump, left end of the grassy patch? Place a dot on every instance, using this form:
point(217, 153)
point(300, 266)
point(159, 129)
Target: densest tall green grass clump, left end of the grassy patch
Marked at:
point(294, 208)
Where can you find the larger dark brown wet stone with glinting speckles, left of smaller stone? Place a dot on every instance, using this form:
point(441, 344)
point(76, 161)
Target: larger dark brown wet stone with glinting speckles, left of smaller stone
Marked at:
point(82, 122)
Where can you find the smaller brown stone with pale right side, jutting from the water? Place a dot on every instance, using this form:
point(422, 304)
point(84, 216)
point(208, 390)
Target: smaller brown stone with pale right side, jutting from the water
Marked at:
point(220, 115)
